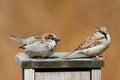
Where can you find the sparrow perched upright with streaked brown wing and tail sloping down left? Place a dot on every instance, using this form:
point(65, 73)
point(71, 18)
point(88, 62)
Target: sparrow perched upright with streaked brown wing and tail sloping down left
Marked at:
point(94, 45)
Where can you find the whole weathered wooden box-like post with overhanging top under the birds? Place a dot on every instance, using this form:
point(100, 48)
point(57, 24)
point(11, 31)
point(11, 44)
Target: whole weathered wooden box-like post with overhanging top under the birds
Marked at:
point(54, 68)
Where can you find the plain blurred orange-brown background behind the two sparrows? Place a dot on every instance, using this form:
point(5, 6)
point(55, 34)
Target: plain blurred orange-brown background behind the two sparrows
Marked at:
point(72, 20)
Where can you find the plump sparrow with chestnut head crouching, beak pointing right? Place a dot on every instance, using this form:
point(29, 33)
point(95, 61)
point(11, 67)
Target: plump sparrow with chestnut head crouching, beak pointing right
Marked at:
point(42, 46)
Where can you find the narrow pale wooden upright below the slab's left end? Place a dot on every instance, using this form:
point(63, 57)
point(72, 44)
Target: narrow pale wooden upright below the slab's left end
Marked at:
point(29, 74)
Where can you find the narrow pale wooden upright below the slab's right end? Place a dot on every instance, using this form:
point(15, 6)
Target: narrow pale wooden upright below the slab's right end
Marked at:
point(95, 74)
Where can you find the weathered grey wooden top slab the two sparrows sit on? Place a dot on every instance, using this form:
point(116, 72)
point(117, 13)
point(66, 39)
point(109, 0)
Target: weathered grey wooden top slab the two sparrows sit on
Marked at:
point(26, 62)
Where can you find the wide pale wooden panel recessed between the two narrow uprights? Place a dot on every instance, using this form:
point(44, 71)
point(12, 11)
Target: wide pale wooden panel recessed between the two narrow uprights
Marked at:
point(62, 75)
